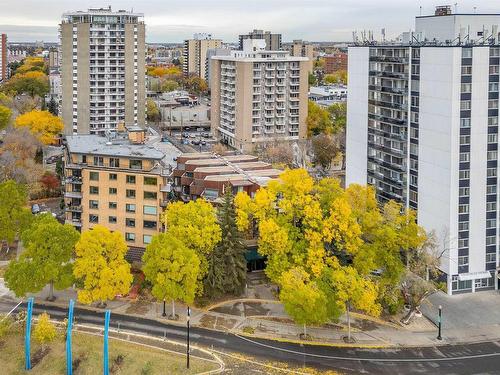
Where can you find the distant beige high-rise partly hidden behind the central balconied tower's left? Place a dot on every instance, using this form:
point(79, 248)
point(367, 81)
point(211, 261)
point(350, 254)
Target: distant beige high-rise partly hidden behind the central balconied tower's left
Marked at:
point(195, 54)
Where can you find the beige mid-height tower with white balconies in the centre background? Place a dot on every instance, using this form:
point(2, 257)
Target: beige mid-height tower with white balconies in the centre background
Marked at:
point(258, 96)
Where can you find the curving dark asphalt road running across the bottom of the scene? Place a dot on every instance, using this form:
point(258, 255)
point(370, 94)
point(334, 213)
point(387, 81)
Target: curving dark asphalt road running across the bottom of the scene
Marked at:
point(479, 358)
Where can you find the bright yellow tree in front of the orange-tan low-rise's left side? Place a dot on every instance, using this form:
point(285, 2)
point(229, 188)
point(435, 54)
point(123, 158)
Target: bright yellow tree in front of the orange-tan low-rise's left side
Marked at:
point(101, 266)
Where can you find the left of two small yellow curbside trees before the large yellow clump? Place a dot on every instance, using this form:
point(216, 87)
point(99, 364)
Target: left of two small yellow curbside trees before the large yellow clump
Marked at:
point(302, 298)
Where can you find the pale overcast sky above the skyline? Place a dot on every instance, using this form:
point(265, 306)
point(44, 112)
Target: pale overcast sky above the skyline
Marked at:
point(175, 20)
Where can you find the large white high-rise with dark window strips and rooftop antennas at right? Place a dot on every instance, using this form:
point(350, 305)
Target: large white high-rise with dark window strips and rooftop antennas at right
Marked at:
point(422, 128)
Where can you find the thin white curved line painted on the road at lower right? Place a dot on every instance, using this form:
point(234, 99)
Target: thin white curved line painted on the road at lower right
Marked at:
point(441, 359)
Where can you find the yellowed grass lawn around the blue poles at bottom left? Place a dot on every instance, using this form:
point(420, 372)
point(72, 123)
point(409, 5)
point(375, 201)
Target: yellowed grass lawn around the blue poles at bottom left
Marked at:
point(124, 358)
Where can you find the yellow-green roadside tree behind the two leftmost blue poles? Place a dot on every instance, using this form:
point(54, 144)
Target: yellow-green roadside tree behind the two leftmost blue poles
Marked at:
point(46, 259)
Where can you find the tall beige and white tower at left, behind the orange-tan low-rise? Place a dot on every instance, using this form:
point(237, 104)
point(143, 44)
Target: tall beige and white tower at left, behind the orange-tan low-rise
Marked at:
point(102, 70)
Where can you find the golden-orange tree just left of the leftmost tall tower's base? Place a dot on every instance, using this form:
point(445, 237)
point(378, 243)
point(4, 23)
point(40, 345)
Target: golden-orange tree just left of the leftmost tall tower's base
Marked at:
point(44, 125)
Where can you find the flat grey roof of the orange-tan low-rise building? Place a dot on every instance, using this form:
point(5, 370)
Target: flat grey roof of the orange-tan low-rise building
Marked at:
point(98, 145)
